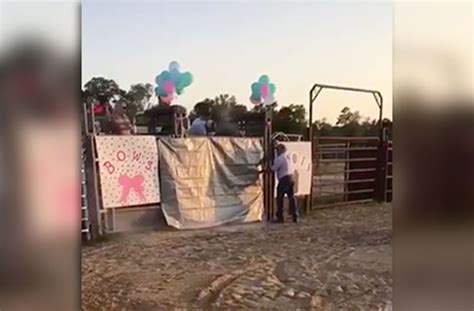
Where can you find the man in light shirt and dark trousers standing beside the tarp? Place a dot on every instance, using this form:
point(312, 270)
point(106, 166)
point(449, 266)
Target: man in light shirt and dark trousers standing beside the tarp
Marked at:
point(286, 183)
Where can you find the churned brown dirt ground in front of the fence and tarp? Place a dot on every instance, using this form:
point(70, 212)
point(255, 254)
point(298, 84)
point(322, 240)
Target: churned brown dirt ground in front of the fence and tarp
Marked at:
point(334, 259)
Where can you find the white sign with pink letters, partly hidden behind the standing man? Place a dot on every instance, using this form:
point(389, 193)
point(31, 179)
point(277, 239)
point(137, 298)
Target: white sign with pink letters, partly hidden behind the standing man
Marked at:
point(298, 154)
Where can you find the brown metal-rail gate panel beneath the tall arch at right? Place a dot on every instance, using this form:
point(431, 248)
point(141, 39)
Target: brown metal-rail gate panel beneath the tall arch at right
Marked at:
point(349, 169)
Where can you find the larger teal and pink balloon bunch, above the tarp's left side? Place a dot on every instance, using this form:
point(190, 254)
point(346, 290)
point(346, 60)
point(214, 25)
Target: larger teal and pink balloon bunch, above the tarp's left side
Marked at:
point(172, 81)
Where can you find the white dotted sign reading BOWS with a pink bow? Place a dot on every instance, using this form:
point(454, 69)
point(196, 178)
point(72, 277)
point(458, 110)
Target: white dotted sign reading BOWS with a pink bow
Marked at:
point(128, 167)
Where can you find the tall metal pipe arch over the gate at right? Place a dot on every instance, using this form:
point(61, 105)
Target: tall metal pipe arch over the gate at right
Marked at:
point(313, 95)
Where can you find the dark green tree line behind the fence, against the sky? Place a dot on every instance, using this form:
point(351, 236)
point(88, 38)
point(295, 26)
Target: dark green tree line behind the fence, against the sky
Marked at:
point(291, 119)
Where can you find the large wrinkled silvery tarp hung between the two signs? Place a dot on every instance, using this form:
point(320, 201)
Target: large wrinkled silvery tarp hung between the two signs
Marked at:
point(210, 181)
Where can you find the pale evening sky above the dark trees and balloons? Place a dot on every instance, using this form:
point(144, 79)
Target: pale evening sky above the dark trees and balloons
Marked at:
point(228, 45)
